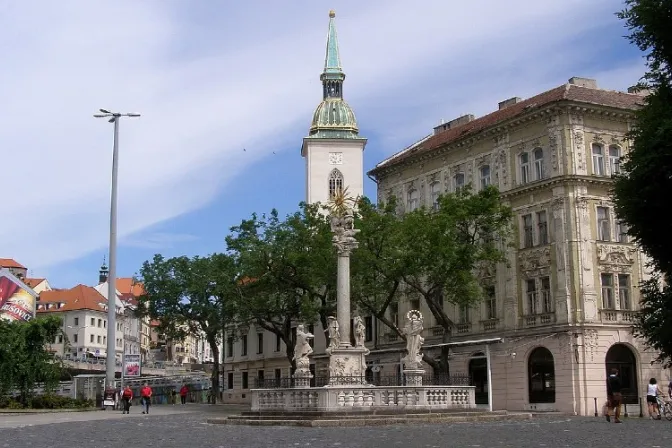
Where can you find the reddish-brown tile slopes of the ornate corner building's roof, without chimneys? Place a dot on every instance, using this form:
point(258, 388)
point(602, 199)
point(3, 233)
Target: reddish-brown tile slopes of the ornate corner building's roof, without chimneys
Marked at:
point(566, 92)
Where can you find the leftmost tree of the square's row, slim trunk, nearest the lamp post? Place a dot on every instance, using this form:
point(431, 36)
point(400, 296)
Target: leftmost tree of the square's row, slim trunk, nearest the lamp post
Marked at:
point(192, 296)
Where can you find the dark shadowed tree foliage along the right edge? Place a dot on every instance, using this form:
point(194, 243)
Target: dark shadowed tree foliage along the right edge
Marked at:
point(640, 192)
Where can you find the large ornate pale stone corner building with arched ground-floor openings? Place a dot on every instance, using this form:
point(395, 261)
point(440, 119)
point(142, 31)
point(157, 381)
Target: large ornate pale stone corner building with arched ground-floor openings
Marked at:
point(564, 307)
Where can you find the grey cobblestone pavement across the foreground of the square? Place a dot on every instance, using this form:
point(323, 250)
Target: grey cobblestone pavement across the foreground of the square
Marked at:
point(187, 428)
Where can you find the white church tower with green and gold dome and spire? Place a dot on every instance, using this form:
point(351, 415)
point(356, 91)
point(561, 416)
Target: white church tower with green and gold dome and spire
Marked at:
point(333, 149)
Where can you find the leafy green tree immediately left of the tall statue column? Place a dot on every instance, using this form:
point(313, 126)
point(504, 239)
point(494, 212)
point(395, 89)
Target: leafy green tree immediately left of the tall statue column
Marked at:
point(288, 270)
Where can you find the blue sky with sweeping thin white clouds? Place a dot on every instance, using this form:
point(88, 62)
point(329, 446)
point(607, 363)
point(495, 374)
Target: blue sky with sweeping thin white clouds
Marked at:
point(212, 78)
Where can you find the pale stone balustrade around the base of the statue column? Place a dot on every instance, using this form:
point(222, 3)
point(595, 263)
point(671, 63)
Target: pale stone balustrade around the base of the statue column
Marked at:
point(363, 398)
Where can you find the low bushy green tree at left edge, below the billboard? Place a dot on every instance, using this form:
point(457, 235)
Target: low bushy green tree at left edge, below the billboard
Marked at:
point(24, 358)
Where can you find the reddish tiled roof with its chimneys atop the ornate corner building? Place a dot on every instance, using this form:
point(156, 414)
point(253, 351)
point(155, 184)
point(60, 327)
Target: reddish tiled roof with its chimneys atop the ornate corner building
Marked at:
point(577, 90)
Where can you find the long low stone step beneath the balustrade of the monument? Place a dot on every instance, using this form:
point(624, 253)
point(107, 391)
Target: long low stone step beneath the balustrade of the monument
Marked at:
point(337, 421)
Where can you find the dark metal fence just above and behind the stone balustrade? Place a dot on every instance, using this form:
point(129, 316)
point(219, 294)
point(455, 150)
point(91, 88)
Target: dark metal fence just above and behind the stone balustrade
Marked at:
point(384, 381)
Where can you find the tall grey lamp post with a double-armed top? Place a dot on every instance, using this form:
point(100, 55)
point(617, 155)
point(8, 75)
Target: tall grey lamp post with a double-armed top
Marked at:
point(110, 365)
